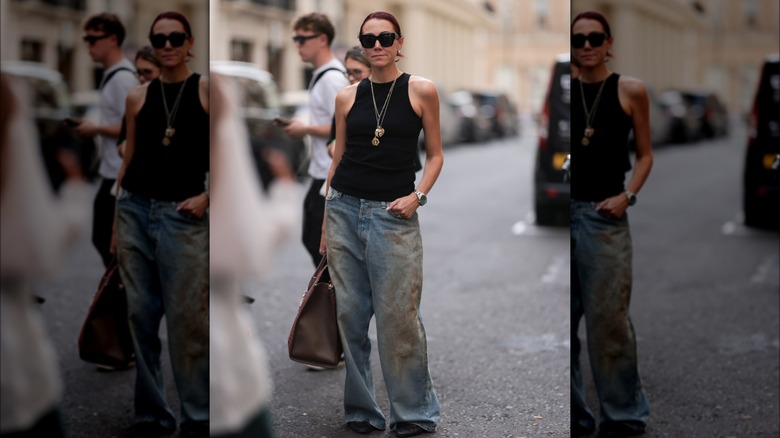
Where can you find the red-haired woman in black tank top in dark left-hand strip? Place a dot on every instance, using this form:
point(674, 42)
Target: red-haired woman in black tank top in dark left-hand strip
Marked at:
point(162, 232)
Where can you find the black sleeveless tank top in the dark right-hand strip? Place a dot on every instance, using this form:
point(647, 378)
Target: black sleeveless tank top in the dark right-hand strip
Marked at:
point(598, 170)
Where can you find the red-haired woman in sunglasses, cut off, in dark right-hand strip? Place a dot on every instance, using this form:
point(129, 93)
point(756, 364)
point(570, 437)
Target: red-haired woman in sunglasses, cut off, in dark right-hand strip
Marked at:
point(605, 107)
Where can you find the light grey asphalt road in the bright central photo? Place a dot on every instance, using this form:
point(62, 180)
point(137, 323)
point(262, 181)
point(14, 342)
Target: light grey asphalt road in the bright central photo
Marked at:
point(495, 308)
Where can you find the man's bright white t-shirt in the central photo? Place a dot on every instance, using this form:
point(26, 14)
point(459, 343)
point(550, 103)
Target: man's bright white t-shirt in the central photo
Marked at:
point(322, 104)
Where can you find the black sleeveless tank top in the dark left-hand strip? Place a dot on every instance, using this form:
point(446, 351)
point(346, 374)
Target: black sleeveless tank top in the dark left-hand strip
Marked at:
point(177, 171)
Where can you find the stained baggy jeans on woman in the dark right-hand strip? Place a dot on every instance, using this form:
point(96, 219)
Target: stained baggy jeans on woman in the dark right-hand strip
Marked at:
point(601, 290)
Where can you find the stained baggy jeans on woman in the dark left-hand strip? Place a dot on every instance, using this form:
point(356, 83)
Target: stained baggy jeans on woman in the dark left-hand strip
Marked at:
point(163, 259)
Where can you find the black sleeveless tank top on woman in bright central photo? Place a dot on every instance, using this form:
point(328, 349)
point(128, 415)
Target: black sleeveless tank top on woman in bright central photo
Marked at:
point(384, 172)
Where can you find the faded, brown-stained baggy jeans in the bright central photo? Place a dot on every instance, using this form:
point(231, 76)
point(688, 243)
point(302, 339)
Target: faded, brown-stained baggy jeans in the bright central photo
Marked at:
point(375, 264)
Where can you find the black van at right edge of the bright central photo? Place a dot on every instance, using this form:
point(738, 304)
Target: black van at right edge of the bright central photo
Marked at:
point(551, 187)
